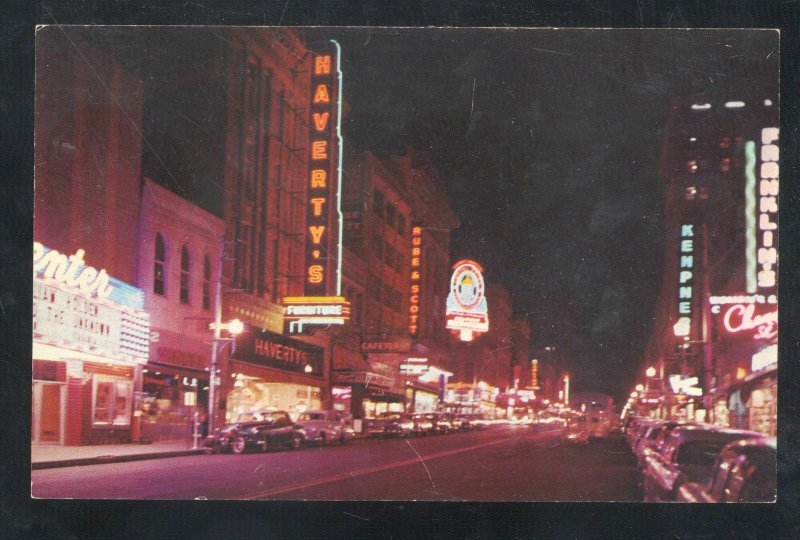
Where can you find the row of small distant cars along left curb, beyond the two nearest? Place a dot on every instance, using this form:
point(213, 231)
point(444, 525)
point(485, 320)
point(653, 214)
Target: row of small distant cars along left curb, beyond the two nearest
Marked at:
point(403, 424)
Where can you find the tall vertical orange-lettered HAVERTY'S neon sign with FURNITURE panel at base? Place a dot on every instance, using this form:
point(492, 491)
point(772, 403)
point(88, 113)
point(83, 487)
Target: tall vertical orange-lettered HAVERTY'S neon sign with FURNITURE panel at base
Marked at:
point(322, 303)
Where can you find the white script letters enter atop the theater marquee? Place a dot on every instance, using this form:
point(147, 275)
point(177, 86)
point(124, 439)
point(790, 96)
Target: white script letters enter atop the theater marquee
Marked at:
point(67, 271)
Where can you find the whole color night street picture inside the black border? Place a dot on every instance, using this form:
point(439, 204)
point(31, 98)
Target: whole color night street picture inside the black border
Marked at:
point(406, 264)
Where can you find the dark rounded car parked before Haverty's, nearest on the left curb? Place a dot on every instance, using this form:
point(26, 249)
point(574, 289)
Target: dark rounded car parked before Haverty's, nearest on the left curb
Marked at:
point(262, 430)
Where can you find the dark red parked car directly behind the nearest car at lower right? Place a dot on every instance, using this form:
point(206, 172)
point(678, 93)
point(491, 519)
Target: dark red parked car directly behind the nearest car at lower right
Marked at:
point(688, 455)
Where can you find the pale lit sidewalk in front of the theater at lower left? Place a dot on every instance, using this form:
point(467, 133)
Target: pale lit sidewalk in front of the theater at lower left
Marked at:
point(48, 457)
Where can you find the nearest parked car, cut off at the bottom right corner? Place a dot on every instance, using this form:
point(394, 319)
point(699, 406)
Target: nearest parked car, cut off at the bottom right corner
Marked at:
point(745, 471)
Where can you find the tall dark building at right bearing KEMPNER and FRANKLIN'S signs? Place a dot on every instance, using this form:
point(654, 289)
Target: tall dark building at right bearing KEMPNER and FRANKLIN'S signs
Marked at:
point(716, 316)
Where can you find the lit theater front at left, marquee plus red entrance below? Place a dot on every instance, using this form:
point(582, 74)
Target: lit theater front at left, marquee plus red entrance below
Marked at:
point(90, 339)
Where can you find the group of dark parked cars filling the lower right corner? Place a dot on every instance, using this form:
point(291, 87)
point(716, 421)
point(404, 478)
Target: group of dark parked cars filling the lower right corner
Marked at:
point(694, 462)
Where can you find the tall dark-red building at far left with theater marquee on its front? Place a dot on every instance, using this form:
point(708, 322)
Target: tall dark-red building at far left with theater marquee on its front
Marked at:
point(90, 330)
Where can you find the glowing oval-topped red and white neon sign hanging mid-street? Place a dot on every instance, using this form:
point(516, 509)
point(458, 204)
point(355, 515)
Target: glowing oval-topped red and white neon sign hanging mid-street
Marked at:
point(467, 310)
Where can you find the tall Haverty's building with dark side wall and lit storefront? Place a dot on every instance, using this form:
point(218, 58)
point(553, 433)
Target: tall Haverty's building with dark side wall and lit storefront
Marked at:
point(229, 127)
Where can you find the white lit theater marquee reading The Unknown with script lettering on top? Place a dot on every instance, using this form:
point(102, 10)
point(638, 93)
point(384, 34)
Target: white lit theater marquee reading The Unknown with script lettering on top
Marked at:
point(81, 308)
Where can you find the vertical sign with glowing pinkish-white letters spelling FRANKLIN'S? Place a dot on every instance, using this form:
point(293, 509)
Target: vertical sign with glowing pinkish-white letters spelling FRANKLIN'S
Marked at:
point(768, 210)
